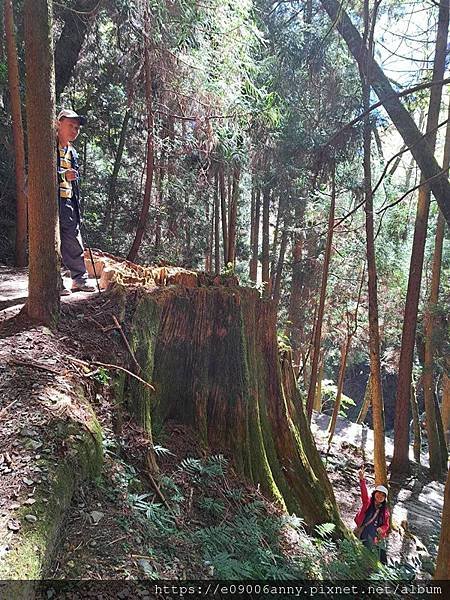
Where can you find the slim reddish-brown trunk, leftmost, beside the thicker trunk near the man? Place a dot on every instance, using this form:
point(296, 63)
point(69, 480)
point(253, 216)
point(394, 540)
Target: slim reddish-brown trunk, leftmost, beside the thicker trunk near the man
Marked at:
point(19, 150)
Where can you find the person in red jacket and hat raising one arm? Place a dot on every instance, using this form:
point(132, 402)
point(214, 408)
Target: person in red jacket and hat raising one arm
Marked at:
point(372, 519)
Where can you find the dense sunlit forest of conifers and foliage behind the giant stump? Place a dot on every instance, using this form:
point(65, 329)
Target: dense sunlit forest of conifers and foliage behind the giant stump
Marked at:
point(217, 139)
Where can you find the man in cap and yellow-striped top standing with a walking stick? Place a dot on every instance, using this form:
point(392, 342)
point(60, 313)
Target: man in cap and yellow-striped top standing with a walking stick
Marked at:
point(72, 250)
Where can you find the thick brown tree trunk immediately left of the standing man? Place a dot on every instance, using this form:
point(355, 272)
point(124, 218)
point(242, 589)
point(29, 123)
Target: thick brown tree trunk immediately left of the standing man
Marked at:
point(43, 283)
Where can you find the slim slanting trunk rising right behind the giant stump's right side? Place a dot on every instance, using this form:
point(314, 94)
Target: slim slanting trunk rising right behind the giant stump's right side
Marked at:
point(322, 297)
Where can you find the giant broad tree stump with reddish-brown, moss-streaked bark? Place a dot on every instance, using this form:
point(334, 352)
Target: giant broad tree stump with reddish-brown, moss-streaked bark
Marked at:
point(211, 353)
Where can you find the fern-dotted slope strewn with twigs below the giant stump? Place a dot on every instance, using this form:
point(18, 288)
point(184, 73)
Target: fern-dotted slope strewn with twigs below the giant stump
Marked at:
point(211, 524)
